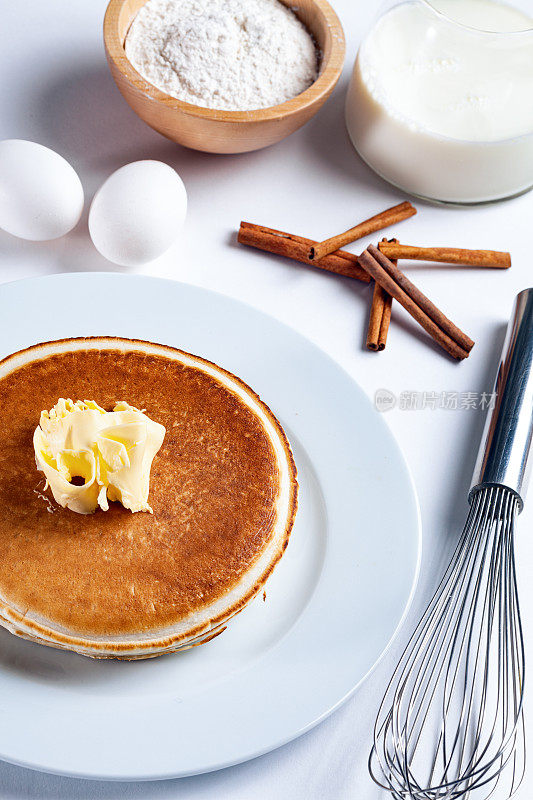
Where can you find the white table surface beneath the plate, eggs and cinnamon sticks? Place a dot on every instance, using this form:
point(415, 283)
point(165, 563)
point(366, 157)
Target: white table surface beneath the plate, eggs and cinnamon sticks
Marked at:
point(56, 89)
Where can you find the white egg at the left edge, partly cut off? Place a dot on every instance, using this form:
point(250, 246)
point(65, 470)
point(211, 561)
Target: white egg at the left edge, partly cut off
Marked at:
point(41, 196)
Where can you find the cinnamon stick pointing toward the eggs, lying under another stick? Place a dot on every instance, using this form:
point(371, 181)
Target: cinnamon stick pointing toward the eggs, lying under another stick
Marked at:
point(297, 248)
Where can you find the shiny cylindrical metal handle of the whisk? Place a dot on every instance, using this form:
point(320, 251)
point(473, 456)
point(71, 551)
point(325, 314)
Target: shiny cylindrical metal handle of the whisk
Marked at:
point(504, 453)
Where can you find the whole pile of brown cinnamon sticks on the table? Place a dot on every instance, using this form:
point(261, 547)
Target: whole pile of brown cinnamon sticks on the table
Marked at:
point(380, 264)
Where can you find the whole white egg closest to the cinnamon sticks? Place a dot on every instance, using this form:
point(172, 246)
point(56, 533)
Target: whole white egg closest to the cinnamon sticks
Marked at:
point(138, 212)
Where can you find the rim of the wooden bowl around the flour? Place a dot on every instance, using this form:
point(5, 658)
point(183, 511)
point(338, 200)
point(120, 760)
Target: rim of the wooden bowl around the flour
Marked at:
point(331, 71)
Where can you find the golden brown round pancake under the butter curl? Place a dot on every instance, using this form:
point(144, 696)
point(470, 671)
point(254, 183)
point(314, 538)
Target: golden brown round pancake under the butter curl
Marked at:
point(223, 491)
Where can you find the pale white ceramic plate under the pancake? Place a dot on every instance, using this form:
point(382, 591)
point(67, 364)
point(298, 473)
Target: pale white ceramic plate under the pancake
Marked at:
point(332, 605)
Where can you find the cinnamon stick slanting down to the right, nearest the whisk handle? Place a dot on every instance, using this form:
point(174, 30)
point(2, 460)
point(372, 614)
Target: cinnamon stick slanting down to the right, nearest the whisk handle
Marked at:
point(390, 278)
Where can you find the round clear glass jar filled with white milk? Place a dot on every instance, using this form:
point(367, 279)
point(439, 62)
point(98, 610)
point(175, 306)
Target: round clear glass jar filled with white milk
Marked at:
point(441, 99)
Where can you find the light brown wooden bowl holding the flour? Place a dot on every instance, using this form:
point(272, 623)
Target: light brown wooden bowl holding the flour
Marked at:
point(217, 131)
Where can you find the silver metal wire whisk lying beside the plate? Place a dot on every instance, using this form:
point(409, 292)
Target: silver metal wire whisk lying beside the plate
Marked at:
point(451, 722)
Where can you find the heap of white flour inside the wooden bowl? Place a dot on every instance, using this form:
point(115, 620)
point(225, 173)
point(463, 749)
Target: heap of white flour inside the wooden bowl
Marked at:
point(225, 54)
